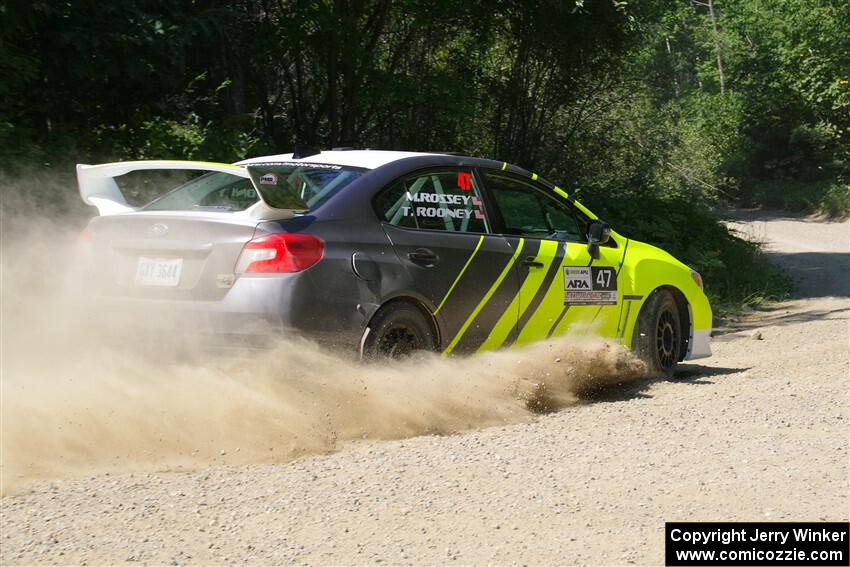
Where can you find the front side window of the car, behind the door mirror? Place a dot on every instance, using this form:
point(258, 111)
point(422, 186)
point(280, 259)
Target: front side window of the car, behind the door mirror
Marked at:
point(529, 211)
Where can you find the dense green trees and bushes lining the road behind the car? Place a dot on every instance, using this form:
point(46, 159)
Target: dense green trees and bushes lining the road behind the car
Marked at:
point(655, 112)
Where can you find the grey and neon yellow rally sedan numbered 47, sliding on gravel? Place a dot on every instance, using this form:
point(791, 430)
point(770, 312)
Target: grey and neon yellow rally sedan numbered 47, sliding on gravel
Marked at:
point(386, 252)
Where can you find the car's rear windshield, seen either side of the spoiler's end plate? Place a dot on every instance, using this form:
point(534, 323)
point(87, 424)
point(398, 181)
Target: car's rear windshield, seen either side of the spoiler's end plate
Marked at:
point(229, 193)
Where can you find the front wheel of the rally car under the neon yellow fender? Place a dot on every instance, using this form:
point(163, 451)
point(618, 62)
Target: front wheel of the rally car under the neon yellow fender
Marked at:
point(658, 334)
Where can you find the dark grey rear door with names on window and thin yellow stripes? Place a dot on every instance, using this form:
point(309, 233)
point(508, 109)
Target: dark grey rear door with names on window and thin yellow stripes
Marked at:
point(440, 230)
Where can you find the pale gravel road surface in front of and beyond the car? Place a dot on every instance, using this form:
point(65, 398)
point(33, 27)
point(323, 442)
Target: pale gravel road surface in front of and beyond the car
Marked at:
point(758, 432)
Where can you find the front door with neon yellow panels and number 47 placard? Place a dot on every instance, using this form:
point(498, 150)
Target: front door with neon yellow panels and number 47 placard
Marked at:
point(562, 289)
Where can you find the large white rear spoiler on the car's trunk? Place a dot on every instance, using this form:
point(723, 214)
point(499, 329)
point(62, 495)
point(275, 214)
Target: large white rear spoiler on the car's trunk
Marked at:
point(98, 187)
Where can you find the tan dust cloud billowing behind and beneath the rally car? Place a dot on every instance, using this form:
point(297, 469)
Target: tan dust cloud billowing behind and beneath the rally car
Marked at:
point(75, 403)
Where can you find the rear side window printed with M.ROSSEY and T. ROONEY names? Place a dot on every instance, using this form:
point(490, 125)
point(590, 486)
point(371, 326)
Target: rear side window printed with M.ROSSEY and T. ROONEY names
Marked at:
point(438, 200)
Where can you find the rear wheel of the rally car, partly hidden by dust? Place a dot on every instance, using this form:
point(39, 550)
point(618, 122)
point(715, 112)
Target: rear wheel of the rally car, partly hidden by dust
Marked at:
point(398, 330)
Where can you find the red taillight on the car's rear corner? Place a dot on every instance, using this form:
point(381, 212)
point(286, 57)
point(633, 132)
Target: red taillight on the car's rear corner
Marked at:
point(280, 253)
